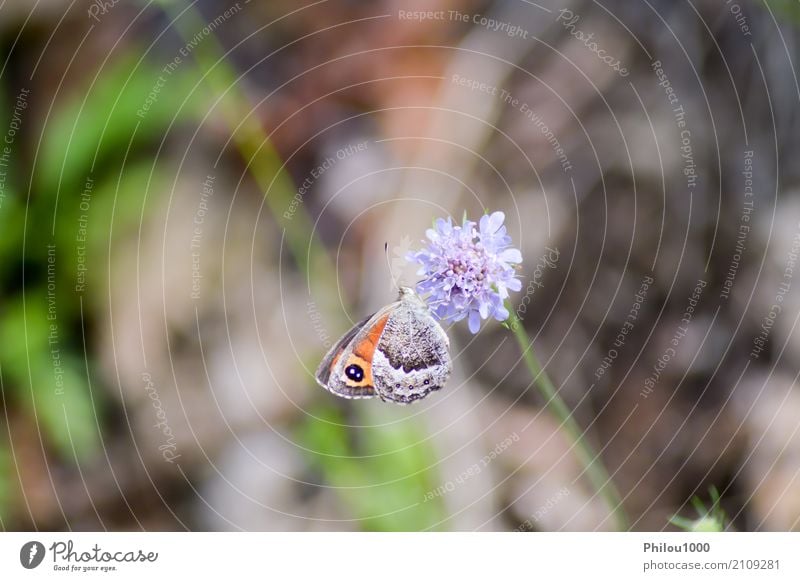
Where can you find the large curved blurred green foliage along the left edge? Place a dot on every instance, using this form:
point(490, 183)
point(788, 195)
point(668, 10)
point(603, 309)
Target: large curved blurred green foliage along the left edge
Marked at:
point(96, 164)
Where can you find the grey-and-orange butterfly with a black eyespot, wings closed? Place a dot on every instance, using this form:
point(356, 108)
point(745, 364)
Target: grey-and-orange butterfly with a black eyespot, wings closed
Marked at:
point(400, 354)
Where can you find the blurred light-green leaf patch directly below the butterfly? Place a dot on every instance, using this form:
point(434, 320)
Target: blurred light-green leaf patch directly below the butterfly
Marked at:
point(383, 477)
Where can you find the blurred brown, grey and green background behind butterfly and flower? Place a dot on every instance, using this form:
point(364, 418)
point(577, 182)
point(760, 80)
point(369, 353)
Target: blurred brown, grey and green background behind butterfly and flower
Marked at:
point(194, 203)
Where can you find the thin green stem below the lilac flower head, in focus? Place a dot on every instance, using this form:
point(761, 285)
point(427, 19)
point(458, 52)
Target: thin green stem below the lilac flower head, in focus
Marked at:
point(593, 465)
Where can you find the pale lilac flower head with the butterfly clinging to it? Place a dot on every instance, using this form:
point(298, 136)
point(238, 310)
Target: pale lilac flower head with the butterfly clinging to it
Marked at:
point(468, 270)
